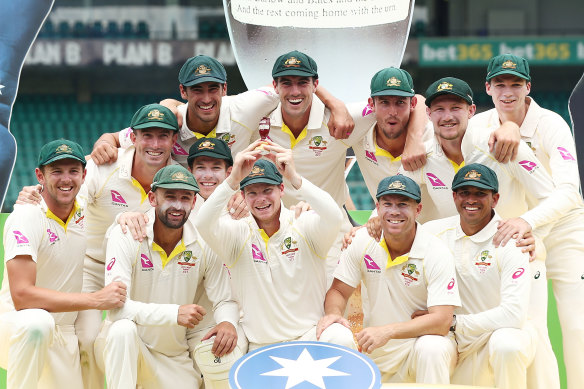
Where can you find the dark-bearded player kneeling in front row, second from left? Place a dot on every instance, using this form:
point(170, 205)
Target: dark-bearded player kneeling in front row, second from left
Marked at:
point(147, 341)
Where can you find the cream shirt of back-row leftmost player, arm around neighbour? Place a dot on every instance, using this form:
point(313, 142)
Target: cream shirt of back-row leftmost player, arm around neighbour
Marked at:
point(239, 118)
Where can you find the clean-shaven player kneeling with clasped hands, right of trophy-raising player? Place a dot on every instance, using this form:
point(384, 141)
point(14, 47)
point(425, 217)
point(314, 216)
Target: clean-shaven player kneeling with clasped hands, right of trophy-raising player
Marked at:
point(407, 271)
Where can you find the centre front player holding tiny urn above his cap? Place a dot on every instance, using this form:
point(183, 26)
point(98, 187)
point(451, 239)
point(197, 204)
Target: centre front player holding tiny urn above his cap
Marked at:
point(283, 257)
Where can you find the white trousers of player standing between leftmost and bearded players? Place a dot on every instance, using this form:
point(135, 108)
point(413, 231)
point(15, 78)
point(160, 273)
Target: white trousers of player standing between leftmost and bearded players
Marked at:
point(88, 324)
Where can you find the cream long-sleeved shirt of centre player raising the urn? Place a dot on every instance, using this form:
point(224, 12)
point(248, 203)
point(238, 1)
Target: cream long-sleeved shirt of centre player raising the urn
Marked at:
point(281, 280)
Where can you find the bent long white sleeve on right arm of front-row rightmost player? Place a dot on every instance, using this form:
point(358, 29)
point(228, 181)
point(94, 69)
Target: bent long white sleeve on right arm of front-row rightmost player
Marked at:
point(515, 292)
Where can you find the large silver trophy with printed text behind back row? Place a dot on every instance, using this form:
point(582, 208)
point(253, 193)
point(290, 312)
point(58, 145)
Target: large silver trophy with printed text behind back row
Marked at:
point(350, 40)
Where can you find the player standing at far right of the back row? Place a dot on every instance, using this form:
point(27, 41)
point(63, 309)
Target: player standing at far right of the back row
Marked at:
point(508, 82)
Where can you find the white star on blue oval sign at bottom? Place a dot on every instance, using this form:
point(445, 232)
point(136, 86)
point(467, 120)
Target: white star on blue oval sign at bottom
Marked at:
point(305, 369)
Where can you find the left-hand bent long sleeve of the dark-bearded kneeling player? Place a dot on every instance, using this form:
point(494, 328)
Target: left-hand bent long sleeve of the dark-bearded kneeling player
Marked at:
point(121, 257)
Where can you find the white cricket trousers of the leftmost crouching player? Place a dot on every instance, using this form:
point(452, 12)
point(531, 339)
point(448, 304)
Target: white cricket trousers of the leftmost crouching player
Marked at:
point(36, 353)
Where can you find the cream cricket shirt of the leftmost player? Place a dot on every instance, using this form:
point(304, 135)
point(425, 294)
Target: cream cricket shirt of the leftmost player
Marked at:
point(56, 247)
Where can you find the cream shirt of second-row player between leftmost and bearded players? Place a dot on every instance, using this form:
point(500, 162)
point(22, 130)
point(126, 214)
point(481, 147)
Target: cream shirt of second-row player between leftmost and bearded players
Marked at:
point(107, 191)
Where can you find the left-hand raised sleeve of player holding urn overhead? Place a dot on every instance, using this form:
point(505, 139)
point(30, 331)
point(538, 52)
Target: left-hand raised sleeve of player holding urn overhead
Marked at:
point(223, 234)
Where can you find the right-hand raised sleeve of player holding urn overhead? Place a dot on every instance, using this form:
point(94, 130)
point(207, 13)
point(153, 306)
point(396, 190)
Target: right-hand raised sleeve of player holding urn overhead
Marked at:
point(321, 226)
